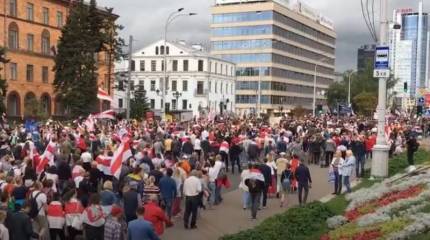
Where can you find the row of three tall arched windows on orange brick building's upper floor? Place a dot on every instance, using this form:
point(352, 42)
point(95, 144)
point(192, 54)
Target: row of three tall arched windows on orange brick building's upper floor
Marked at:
point(14, 41)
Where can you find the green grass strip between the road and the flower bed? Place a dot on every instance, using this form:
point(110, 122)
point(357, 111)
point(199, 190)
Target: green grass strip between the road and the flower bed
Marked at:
point(309, 222)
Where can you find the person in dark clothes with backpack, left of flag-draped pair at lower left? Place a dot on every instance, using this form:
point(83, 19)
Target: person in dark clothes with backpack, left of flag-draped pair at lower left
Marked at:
point(38, 203)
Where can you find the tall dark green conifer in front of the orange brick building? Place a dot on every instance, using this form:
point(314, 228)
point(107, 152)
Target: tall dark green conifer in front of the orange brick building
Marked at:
point(83, 38)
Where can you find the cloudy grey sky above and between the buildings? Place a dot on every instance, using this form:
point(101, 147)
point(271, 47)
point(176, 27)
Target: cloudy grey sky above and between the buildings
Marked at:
point(145, 19)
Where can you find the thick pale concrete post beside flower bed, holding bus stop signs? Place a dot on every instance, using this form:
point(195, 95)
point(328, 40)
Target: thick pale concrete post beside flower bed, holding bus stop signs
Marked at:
point(380, 150)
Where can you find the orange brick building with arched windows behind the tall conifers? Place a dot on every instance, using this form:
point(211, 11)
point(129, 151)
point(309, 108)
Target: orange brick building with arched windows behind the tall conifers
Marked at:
point(31, 33)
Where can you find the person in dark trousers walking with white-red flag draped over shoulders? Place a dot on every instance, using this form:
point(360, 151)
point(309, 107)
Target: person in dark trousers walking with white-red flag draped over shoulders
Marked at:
point(256, 186)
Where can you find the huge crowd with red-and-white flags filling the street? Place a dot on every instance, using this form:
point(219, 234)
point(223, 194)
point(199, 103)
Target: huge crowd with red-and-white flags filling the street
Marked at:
point(130, 180)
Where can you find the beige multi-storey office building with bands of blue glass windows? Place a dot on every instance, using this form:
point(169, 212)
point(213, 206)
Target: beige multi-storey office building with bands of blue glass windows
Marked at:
point(278, 47)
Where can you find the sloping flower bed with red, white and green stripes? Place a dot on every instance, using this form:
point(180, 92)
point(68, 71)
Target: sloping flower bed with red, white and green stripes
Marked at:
point(389, 210)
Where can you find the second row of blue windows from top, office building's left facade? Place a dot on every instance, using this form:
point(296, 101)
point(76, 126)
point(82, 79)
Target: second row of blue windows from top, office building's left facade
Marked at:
point(240, 31)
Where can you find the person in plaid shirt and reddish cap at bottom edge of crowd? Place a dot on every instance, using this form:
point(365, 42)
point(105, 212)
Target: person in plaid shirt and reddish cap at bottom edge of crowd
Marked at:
point(115, 229)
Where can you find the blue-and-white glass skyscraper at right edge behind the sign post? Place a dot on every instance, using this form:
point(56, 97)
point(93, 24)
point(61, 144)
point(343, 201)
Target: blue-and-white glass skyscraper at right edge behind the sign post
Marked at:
point(409, 44)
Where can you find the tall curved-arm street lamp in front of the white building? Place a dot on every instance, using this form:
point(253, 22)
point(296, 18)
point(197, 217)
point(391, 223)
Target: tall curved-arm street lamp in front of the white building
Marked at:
point(174, 15)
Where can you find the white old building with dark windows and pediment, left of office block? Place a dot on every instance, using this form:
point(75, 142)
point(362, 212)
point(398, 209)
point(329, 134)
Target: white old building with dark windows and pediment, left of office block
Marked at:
point(196, 82)
